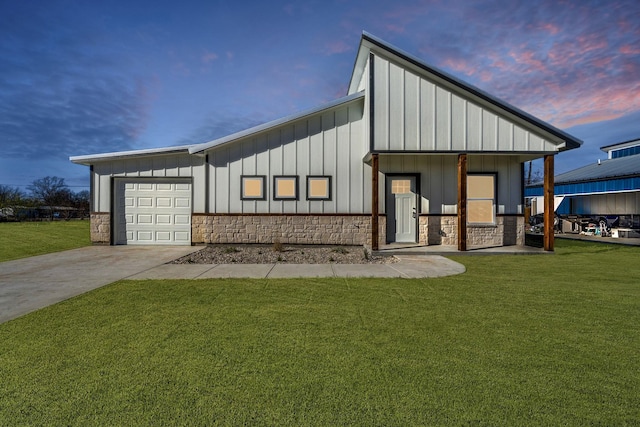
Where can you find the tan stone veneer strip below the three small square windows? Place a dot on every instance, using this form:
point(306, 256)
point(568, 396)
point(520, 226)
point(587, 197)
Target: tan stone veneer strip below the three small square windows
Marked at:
point(293, 229)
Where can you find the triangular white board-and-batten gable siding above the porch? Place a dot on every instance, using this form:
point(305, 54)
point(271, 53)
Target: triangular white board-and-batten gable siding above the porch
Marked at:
point(413, 112)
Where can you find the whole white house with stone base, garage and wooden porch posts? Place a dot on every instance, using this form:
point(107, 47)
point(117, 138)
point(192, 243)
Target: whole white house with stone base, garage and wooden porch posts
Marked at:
point(410, 154)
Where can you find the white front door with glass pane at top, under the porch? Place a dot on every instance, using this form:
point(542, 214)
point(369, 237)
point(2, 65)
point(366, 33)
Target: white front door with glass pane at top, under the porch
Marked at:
point(402, 215)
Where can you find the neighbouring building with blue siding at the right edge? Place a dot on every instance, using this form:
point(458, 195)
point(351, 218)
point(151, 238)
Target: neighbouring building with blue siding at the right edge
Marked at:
point(606, 188)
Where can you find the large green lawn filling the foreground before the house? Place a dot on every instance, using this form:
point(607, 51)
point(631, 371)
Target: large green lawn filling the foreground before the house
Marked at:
point(517, 340)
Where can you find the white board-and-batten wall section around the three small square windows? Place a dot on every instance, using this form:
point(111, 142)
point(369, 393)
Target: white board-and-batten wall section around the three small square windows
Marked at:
point(329, 143)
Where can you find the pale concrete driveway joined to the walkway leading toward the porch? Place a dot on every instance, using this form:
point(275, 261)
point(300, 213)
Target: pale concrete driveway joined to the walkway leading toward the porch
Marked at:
point(30, 284)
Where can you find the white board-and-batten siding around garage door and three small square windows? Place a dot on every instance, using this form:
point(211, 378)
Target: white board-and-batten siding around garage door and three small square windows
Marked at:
point(329, 142)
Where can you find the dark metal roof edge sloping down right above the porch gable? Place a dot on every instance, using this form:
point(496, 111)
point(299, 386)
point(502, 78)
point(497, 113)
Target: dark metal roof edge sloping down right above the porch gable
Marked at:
point(572, 142)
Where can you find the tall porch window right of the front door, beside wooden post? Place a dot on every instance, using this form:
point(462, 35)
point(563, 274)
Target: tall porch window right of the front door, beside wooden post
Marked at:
point(481, 206)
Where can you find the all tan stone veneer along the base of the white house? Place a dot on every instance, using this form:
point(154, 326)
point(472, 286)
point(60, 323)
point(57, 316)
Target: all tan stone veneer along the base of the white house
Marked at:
point(328, 230)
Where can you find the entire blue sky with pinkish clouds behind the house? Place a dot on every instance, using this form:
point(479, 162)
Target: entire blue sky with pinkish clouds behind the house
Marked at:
point(91, 76)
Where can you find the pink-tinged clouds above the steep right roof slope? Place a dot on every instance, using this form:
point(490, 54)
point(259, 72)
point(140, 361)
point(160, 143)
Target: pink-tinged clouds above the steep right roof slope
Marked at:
point(565, 62)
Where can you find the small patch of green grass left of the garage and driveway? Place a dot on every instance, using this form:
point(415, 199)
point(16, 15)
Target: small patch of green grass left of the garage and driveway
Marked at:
point(25, 239)
